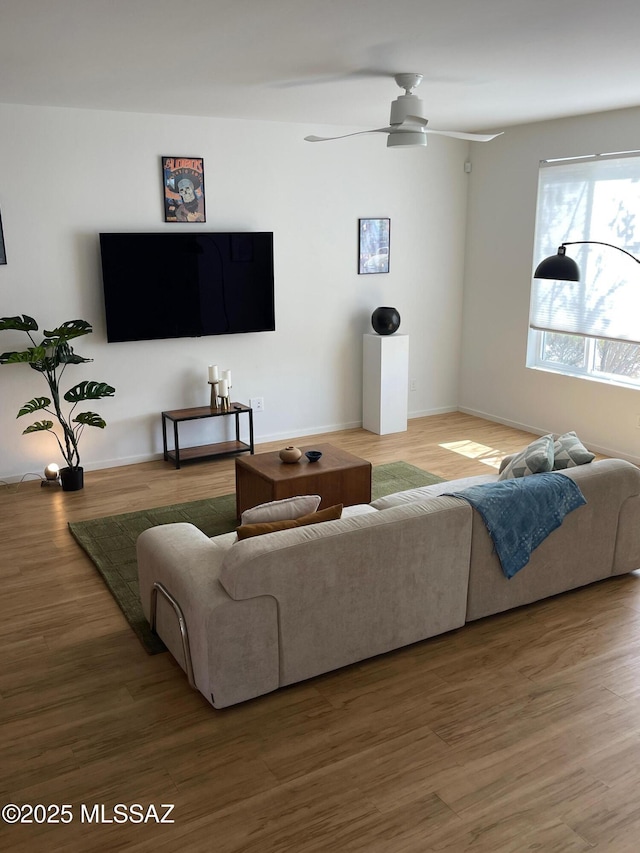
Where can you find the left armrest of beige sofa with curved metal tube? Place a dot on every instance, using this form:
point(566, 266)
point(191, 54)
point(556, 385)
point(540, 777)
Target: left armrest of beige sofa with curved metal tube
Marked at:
point(234, 644)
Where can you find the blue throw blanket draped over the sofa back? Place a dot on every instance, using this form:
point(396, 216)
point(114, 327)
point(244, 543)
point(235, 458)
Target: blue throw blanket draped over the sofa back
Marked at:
point(520, 513)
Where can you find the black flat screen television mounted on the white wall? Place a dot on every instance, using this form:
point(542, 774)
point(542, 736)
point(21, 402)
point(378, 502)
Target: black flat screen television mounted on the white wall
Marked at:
point(162, 285)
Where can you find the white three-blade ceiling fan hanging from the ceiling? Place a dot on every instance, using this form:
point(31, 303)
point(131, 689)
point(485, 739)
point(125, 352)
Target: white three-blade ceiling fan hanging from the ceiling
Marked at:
point(408, 126)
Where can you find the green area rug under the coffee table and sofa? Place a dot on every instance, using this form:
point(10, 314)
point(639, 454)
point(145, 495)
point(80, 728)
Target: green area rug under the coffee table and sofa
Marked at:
point(111, 541)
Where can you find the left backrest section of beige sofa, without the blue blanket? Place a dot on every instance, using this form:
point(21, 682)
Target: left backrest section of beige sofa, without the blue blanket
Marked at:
point(359, 586)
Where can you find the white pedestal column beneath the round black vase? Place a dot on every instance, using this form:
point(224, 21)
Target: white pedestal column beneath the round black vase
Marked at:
point(385, 383)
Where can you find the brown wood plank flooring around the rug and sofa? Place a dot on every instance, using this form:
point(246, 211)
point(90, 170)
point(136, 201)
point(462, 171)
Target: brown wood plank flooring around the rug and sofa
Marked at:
point(518, 732)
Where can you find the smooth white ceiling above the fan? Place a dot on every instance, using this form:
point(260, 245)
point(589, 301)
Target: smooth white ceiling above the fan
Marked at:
point(487, 63)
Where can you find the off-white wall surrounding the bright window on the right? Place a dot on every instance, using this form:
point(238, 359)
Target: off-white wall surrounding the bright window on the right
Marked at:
point(499, 258)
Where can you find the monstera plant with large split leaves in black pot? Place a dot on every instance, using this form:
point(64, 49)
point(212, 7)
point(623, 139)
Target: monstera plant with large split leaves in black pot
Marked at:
point(50, 357)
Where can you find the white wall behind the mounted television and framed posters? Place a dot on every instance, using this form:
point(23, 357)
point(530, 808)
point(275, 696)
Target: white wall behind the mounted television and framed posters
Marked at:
point(66, 175)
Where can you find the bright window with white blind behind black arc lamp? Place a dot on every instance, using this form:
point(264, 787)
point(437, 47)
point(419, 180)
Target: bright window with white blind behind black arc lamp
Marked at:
point(589, 328)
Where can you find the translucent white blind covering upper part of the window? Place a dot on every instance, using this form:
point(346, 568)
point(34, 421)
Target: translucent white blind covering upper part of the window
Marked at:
point(595, 198)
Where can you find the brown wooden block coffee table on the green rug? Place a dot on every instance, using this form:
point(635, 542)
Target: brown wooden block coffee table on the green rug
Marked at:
point(338, 477)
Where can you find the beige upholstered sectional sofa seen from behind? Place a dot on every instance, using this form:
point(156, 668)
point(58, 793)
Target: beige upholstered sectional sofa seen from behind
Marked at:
point(246, 617)
